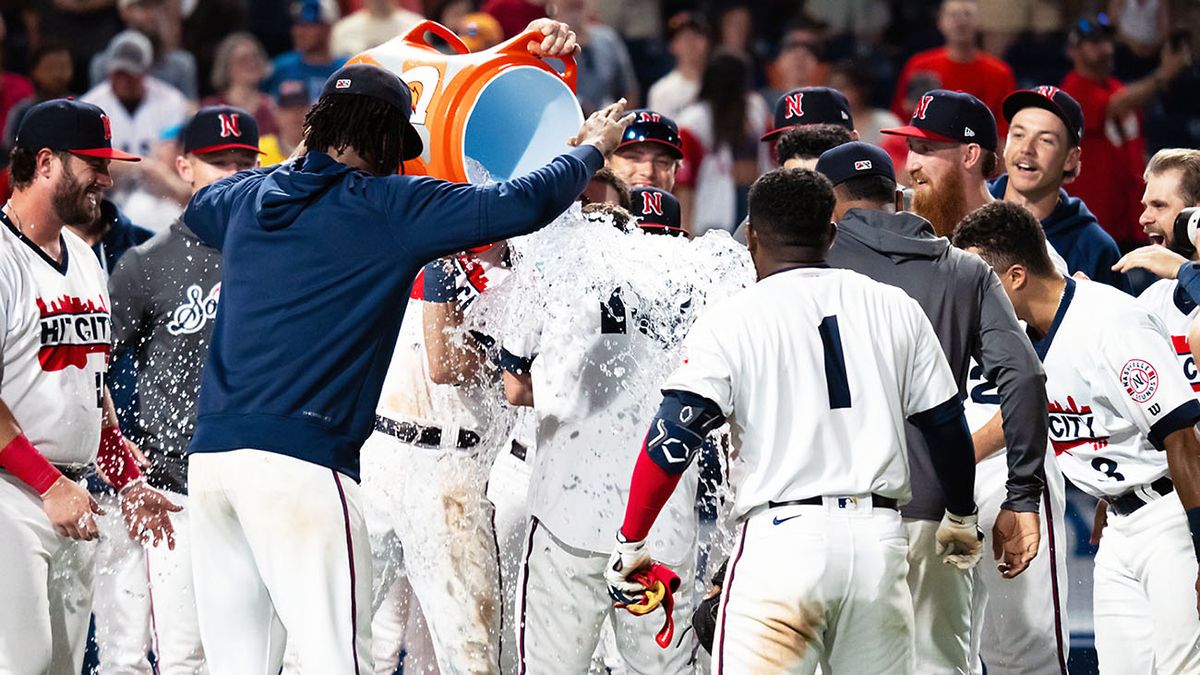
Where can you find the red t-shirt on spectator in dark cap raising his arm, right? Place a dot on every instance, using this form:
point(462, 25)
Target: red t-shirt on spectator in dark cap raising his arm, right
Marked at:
point(1113, 156)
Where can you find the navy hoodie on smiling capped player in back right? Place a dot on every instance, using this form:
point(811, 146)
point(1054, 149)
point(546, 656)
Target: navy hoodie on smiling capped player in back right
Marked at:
point(1078, 237)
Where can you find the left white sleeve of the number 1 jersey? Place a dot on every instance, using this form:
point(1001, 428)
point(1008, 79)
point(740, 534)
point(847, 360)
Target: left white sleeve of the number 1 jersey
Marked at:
point(706, 371)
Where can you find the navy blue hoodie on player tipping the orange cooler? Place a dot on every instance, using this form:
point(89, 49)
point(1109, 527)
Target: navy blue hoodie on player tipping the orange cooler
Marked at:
point(319, 262)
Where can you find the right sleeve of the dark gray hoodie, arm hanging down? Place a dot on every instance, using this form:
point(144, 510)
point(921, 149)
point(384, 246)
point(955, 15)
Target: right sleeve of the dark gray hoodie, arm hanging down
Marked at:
point(1009, 360)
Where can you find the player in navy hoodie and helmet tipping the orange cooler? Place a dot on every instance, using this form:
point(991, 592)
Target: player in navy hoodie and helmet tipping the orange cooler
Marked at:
point(319, 259)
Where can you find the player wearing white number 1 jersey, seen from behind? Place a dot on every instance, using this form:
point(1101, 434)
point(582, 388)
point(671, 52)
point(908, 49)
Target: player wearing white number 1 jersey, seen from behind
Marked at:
point(818, 578)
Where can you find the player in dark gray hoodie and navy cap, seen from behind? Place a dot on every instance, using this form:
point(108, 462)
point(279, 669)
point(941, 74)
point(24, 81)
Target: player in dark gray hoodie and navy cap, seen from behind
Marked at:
point(973, 316)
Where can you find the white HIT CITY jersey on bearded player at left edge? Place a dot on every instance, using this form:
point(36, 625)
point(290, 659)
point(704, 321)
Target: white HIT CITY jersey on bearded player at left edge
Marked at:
point(56, 341)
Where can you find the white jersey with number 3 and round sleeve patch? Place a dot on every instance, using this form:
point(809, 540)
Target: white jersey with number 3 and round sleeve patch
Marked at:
point(1114, 395)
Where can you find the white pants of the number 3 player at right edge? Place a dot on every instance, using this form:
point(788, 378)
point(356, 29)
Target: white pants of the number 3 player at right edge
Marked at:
point(1144, 593)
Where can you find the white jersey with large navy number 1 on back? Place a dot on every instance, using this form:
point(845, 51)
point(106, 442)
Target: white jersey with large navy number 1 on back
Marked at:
point(818, 371)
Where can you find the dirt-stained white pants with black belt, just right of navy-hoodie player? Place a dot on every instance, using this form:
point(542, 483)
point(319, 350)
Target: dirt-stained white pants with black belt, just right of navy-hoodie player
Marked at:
point(435, 505)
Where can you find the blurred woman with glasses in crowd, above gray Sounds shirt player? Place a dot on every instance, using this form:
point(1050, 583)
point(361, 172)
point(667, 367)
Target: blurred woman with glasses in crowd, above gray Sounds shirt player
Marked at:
point(238, 73)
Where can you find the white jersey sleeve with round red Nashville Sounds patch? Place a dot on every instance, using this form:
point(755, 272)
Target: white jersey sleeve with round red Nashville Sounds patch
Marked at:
point(1141, 369)
